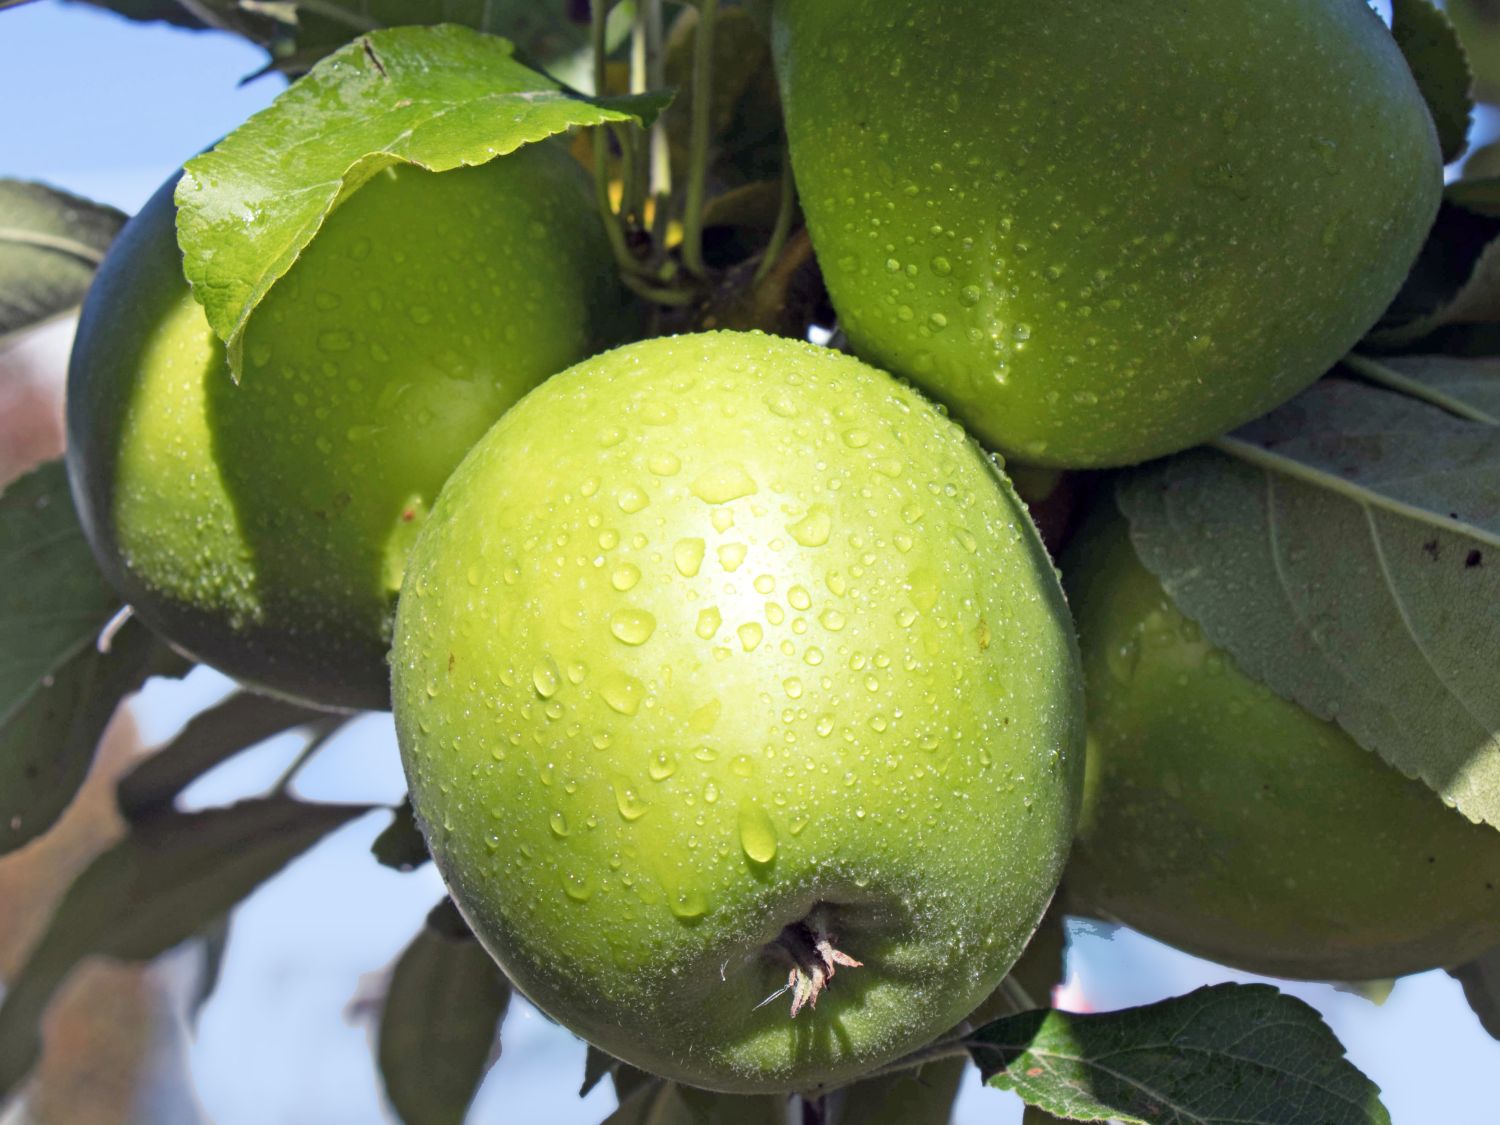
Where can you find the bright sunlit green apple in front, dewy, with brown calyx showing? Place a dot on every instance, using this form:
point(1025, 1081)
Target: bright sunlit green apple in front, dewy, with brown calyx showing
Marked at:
point(725, 664)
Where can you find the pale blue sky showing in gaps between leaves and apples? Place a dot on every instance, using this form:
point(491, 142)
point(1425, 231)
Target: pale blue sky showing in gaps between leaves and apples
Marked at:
point(109, 110)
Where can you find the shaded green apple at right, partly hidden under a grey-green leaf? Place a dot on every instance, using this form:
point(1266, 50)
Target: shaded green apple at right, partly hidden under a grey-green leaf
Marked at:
point(1237, 826)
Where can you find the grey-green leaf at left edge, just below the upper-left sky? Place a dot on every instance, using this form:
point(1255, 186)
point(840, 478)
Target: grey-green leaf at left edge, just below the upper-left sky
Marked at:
point(50, 247)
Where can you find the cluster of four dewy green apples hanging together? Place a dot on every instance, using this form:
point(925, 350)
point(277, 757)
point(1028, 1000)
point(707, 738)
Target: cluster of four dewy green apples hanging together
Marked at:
point(727, 664)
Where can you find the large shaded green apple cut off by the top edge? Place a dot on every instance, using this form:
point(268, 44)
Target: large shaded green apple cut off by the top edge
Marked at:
point(1103, 232)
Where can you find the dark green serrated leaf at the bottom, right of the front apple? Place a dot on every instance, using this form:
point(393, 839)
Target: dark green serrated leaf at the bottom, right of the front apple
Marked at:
point(1226, 1055)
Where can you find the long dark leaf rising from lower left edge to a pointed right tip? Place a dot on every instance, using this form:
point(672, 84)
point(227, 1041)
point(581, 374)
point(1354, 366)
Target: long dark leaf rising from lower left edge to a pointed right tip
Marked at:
point(164, 883)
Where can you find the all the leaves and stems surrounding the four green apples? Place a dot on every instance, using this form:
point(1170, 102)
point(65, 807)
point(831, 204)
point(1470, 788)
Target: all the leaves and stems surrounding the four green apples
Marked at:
point(1358, 524)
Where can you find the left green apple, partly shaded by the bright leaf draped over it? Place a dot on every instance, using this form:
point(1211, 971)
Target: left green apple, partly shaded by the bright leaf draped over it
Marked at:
point(265, 527)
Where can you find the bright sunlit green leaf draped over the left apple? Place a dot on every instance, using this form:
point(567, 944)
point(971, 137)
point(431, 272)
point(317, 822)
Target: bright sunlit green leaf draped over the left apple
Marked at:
point(434, 97)
